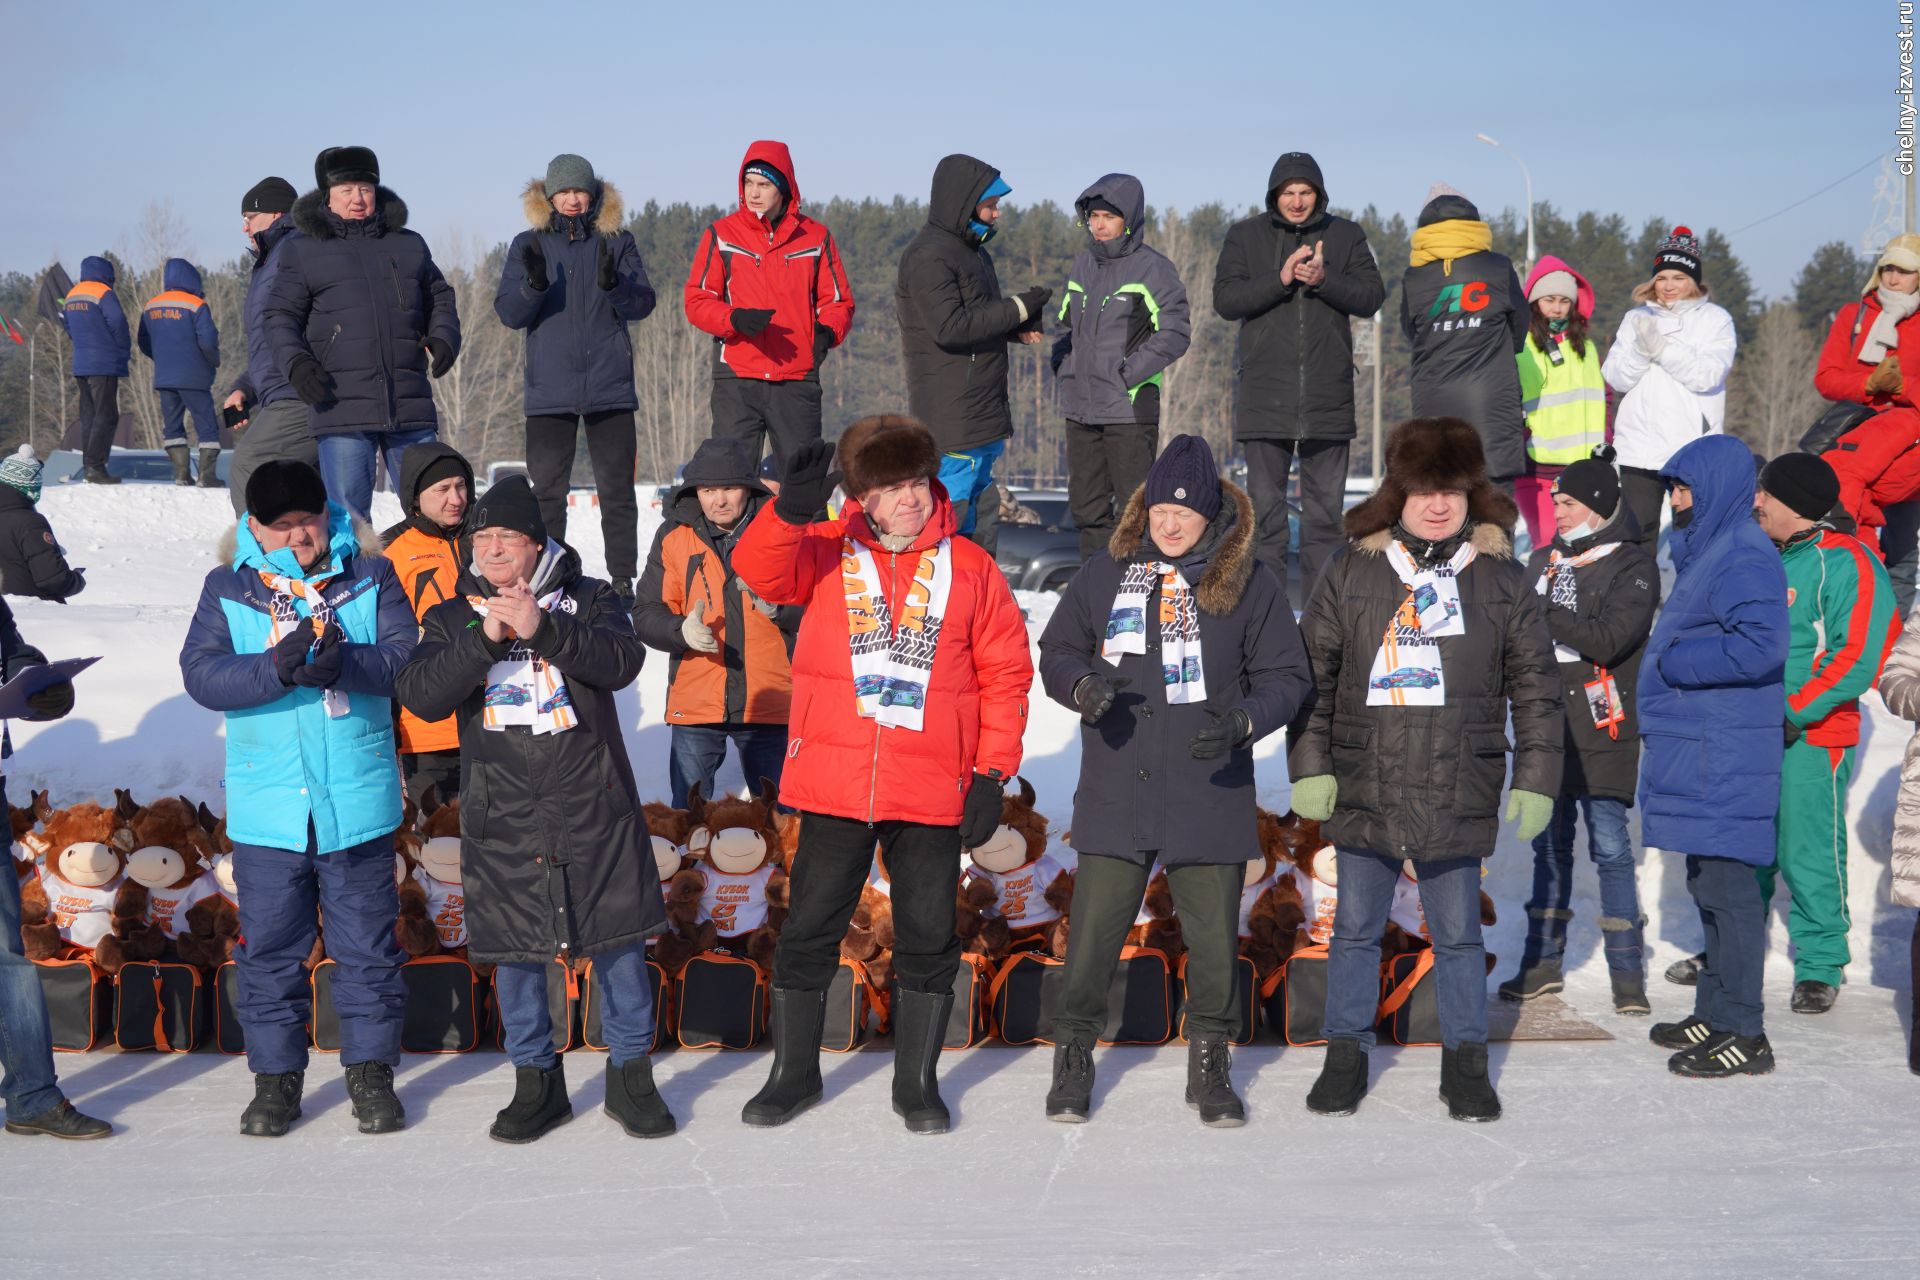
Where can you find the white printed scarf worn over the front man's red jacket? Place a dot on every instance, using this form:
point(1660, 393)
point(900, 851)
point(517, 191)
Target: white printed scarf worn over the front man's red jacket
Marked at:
point(894, 659)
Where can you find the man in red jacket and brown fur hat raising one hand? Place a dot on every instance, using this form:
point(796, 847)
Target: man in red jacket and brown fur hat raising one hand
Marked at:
point(909, 699)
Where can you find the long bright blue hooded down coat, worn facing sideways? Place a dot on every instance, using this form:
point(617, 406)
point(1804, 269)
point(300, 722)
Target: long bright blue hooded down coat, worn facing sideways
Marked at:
point(1712, 686)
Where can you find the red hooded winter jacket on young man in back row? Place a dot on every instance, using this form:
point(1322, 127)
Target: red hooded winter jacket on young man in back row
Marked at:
point(790, 268)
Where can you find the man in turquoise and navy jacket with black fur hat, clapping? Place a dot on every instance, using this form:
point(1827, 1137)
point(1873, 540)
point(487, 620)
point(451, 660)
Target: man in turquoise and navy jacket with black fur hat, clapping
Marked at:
point(299, 640)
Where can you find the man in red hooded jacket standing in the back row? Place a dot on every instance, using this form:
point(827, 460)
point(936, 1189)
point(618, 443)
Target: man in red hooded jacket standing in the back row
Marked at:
point(769, 285)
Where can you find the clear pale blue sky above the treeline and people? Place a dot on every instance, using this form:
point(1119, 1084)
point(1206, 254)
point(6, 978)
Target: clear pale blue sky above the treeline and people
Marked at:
point(1698, 114)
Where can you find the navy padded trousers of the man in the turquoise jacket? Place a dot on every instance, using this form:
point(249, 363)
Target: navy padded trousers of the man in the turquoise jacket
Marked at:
point(283, 895)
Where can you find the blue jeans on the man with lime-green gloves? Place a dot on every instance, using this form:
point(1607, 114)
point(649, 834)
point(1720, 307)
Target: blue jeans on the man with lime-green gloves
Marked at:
point(1451, 895)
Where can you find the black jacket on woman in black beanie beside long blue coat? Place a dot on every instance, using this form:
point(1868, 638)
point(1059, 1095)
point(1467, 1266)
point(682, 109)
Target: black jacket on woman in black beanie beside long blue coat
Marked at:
point(1608, 627)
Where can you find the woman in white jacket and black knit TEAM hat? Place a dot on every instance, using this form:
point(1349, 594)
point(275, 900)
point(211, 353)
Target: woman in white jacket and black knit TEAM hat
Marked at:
point(1669, 364)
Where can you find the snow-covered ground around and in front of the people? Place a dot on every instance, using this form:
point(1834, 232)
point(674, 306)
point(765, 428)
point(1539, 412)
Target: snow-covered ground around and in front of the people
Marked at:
point(1602, 1164)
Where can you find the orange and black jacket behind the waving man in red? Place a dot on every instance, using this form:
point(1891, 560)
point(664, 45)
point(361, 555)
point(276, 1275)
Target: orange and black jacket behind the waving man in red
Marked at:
point(750, 680)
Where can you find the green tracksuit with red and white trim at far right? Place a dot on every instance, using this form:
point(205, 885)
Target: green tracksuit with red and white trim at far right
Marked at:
point(1840, 611)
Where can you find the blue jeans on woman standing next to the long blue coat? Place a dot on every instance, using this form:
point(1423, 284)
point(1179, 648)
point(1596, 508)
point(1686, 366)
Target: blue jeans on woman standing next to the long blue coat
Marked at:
point(1620, 897)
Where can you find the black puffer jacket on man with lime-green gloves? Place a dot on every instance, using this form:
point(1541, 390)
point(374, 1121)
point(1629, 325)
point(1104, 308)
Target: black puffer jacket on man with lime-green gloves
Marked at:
point(1424, 782)
